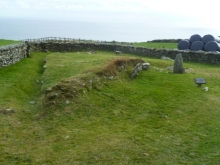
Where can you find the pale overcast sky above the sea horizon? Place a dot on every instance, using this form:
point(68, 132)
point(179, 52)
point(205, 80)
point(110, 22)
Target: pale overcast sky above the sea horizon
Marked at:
point(179, 13)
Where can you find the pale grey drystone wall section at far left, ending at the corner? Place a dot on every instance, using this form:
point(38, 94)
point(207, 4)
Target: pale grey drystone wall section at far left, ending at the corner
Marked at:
point(13, 53)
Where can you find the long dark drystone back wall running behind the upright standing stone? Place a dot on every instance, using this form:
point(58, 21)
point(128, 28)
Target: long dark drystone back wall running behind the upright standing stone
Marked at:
point(188, 56)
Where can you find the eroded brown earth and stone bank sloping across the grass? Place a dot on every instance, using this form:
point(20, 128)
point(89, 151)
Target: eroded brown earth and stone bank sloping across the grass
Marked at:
point(92, 79)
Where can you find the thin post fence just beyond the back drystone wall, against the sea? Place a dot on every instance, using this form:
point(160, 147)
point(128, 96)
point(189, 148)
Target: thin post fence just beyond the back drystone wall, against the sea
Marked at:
point(72, 40)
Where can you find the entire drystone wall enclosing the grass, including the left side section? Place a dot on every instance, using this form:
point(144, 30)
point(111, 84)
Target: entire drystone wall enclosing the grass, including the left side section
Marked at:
point(14, 53)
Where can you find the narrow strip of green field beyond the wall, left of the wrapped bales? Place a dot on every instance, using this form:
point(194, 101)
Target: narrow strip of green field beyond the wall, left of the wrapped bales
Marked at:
point(157, 45)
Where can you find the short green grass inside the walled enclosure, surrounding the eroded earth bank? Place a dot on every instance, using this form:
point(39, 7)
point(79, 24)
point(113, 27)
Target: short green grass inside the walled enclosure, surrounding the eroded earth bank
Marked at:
point(157, 118)
